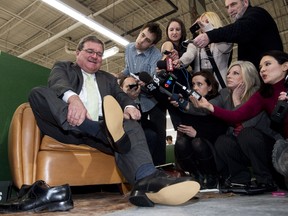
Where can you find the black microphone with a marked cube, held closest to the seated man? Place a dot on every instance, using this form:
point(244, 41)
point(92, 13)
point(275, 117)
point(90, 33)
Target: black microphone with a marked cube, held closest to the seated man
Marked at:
point(153, 85)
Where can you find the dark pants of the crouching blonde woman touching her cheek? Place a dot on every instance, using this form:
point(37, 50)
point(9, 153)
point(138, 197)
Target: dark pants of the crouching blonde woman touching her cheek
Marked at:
point(250, 148)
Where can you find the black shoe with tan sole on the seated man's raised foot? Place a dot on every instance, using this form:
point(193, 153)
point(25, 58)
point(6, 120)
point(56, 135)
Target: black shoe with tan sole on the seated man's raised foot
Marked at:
point(113, 118)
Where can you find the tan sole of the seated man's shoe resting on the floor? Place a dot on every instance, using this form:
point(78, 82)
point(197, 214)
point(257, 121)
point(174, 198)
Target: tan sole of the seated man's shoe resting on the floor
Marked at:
point(175, 194)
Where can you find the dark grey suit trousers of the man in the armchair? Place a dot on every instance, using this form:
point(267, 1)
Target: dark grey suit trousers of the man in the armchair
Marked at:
point(51, 116)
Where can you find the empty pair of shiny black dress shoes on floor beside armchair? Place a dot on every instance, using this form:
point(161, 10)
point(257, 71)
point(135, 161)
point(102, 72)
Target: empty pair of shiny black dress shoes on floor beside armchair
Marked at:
point(40, 197)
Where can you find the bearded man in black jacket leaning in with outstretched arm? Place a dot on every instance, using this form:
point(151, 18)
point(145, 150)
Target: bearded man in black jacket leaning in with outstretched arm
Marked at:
point(253, 29)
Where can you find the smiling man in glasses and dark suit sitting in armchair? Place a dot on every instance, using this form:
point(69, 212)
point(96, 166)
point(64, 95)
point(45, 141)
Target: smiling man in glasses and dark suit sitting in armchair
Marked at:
point(62, 112)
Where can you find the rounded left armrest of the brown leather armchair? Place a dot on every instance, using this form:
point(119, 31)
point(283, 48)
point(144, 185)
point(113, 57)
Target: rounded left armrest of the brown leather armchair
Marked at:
point(24, 140)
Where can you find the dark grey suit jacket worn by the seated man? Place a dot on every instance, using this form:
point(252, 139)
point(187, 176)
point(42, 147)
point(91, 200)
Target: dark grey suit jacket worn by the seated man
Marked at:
point(67, 75)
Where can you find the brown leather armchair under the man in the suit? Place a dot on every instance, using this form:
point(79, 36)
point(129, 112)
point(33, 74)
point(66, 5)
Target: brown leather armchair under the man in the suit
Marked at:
point(34, 157)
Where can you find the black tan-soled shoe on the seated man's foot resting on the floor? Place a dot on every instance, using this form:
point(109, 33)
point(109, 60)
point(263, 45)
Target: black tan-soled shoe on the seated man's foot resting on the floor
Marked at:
point(164, 189)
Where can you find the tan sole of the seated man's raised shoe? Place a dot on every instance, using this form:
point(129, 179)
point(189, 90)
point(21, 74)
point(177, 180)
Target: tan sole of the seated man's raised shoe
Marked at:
point(113, 115)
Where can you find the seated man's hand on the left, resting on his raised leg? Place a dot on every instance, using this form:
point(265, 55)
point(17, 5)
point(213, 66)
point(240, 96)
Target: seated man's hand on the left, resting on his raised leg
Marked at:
point(76, 111)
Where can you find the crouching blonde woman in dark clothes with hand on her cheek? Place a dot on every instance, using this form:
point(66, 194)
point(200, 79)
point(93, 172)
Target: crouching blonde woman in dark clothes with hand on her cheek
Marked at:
point(242, 147)
